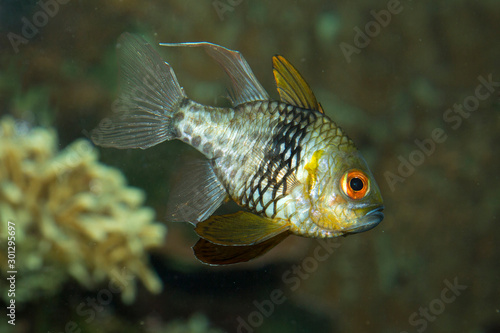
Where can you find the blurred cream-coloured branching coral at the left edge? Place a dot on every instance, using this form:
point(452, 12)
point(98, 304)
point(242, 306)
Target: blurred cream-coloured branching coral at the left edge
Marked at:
point(73, 216)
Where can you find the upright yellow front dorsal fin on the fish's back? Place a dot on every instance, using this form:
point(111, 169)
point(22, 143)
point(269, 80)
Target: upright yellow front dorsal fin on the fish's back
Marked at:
point(292, 87)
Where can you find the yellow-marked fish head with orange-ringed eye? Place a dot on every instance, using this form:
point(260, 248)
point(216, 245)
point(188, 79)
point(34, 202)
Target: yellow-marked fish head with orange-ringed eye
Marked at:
point(345, 197)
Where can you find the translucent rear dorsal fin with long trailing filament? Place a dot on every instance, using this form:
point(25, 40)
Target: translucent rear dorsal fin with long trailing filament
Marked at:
point(246, 87)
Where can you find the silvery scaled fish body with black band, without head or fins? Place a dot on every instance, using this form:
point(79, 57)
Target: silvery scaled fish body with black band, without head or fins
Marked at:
point(275, 139)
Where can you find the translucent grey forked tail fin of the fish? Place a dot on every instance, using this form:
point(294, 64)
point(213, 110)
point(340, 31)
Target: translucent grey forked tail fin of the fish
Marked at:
point(150, 95)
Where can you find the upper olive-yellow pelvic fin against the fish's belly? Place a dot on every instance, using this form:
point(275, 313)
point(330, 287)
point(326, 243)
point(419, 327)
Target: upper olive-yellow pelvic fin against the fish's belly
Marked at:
point(241, 228)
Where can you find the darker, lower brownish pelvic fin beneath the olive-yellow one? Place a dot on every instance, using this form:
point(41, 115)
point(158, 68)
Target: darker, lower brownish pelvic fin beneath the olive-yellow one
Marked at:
point(214, 254)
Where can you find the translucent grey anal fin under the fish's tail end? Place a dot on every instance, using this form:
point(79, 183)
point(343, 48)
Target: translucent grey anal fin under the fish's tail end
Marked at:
point(197, 195)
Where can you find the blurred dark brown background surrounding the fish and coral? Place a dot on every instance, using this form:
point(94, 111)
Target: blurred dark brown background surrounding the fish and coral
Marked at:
point(396, 86)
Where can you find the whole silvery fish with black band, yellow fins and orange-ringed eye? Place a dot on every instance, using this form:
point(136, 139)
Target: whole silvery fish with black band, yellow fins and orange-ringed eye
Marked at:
point(291, 169)
